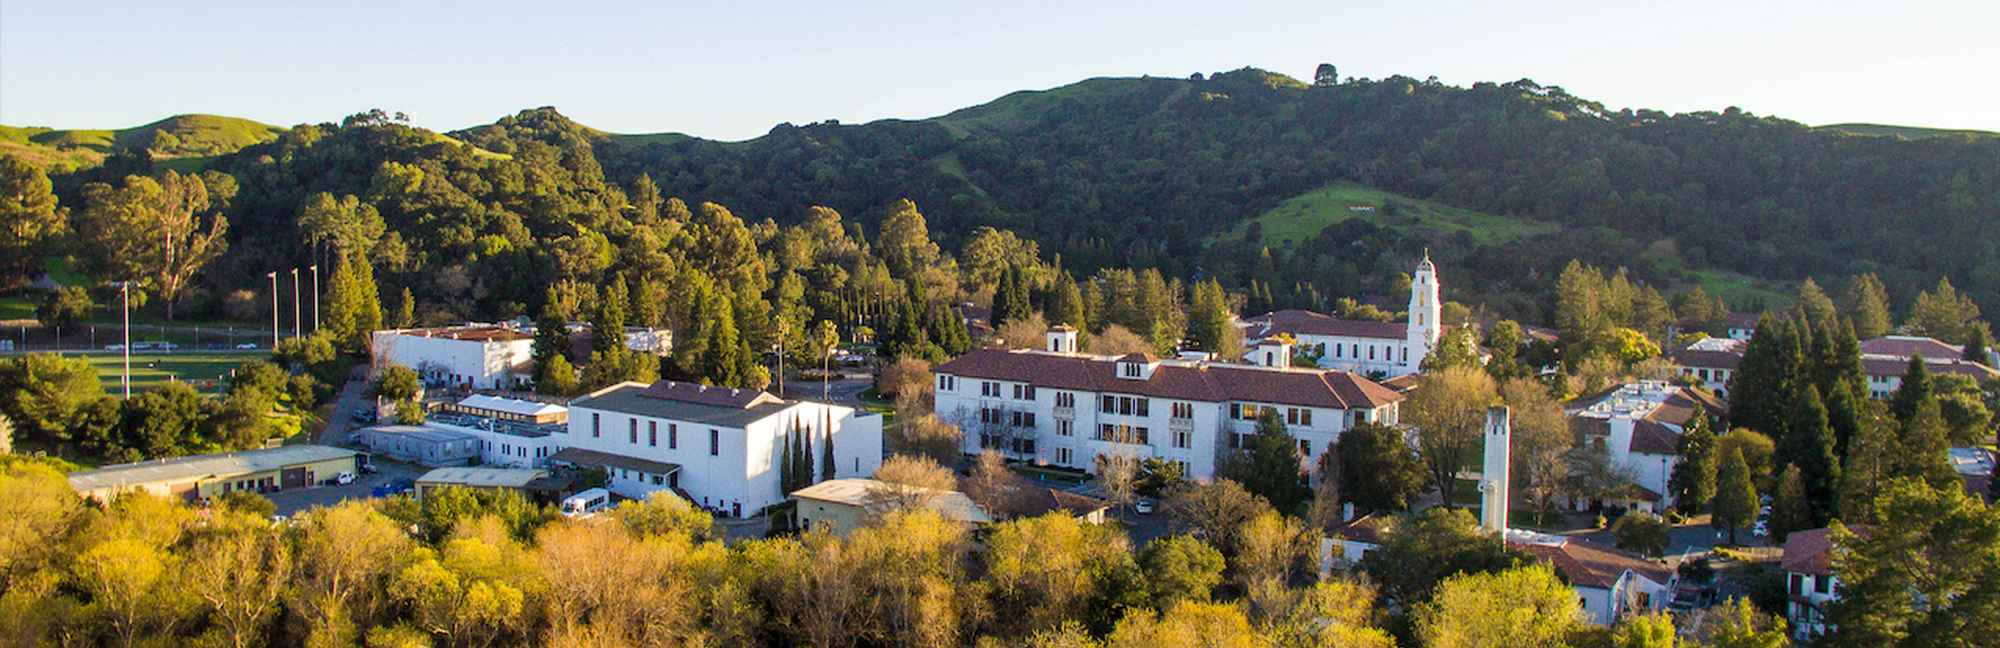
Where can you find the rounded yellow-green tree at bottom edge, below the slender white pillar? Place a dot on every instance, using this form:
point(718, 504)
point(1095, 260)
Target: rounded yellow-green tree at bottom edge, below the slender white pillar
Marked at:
point(1525, 607)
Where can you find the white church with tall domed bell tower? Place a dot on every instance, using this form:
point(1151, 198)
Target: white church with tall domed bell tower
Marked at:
point(1365, 347)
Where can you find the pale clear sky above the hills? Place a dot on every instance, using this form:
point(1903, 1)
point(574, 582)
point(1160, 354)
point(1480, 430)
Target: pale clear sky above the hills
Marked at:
point(735, 69)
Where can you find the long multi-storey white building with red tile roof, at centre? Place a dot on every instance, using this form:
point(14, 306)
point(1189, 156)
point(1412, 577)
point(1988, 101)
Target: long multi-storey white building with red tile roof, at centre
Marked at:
point(1065, 409)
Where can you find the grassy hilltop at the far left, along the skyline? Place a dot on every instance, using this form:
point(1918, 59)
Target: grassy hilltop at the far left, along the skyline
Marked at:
point(185, 139)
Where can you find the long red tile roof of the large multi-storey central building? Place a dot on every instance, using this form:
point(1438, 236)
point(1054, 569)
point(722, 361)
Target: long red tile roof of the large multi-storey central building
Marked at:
point(1211, 383)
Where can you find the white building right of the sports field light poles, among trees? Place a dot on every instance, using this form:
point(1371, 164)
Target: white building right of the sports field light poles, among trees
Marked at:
point(477, 357)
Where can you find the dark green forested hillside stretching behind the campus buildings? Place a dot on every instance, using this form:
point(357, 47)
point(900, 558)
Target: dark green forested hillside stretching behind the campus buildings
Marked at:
point(1167, 173)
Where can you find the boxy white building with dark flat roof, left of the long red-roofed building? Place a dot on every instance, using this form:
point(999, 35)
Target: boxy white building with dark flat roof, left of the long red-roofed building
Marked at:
point(717, 447)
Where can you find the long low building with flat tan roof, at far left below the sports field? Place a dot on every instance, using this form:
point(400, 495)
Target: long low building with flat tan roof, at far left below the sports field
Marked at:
point(209, 475)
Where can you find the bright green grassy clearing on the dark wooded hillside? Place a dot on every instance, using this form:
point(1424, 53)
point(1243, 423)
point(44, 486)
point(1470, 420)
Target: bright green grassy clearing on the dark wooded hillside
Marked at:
point(1303, 217)
